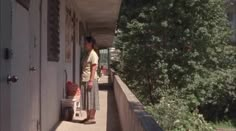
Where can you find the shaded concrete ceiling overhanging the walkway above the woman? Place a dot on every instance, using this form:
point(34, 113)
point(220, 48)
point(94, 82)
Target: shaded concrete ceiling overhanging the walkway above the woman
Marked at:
point(101, 17)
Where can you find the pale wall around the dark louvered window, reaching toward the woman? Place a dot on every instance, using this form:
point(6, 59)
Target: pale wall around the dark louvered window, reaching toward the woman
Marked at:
point(54, 73)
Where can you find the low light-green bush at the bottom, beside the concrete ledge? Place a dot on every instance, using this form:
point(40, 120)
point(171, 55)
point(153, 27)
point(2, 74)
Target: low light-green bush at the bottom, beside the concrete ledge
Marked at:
point(173, 114)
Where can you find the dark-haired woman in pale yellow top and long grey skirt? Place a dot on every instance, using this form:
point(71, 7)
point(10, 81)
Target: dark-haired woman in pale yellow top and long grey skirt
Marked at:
point(89, 85)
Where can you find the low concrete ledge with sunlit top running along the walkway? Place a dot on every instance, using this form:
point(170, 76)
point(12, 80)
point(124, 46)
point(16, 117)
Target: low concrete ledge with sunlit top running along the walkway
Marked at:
point(132, 115)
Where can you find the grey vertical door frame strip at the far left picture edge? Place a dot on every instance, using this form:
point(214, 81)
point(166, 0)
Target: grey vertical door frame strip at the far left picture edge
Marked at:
point(5, 42)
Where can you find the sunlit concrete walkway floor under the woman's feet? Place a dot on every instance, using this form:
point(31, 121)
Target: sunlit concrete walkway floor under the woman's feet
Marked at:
point(107, 117)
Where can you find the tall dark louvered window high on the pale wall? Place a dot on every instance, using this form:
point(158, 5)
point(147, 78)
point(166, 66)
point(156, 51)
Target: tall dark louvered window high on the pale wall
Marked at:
point(53, 30)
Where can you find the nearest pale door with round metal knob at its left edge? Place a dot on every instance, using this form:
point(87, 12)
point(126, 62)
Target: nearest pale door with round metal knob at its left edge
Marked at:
point(20, 90)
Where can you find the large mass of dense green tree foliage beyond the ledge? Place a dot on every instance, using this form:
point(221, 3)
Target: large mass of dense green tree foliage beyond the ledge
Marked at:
point(182, 46)
